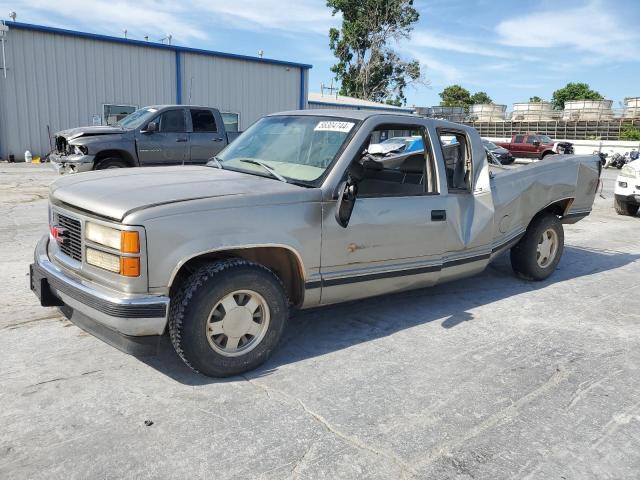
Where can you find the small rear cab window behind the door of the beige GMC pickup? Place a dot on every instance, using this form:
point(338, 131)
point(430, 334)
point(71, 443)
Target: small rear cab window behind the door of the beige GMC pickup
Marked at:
point(456, 152)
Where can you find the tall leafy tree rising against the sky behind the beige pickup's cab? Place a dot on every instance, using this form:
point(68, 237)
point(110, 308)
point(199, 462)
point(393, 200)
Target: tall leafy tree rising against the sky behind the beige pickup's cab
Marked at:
point(367, 68)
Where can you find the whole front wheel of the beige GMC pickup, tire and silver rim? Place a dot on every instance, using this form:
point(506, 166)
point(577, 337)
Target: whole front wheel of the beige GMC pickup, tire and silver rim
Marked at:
point(228, 317)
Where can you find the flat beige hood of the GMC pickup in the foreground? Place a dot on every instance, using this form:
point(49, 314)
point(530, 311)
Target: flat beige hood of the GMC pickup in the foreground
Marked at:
point(116, 193)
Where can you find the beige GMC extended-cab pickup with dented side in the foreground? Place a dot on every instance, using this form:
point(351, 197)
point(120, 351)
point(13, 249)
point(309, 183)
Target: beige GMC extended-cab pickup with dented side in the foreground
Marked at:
point(295, 213)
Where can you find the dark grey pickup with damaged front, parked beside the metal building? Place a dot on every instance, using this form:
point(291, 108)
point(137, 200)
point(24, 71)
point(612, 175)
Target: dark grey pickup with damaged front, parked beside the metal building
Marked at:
point(156, 135)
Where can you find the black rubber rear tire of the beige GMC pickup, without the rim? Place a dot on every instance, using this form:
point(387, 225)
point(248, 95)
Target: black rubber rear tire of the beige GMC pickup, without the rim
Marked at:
point(524, 255)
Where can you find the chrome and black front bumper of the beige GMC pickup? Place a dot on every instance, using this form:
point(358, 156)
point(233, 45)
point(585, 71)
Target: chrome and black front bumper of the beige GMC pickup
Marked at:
point(132, 323)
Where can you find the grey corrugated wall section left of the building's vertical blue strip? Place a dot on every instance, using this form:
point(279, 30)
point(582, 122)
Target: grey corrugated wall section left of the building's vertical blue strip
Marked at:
point(61, 81)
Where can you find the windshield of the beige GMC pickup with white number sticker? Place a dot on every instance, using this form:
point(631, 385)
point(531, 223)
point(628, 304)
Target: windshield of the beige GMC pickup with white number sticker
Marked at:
point(299, 148)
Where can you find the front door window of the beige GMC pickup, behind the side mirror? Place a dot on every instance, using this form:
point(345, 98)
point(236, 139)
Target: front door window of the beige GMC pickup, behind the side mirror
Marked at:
point(391, 169)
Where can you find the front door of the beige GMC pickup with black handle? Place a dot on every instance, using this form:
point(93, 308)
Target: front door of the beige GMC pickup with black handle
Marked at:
point(394, 238)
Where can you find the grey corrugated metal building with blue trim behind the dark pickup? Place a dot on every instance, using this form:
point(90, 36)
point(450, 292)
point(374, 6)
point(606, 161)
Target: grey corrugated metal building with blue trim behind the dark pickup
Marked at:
point(53, 79)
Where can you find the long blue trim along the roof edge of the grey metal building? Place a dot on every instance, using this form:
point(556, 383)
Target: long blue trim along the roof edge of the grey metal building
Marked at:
point(142, 43)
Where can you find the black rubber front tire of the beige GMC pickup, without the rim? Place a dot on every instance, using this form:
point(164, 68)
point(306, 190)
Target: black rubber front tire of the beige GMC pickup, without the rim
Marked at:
point(194, 302)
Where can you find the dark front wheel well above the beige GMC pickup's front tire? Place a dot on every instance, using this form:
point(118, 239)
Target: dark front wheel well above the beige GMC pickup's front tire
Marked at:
point(282, 261)
